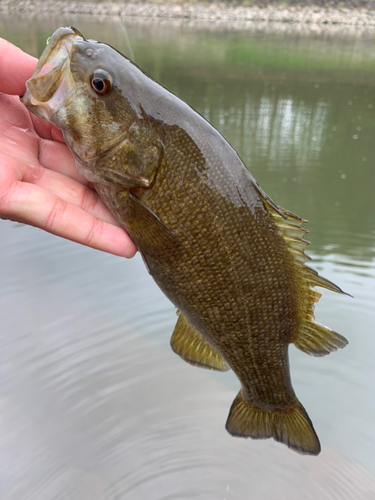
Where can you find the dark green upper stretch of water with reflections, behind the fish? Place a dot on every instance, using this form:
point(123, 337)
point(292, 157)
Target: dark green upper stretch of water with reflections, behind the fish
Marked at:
point(298, 108)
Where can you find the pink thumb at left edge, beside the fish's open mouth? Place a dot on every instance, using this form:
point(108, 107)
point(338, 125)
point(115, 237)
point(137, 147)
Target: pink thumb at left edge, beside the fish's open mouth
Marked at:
point(15, 68)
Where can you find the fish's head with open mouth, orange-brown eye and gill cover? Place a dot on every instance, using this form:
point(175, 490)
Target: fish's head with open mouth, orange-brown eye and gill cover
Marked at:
point(91, 92)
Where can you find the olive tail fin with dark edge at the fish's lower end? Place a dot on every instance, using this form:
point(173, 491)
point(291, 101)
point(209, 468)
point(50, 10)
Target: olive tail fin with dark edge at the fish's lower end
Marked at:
point(291, 426)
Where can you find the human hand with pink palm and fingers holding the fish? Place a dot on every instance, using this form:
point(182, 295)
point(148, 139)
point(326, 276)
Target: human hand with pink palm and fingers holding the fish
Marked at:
point(39, 184)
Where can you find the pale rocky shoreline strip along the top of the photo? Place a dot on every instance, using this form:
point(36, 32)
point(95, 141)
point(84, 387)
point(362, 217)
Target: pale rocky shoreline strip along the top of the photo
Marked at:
point(272, 13)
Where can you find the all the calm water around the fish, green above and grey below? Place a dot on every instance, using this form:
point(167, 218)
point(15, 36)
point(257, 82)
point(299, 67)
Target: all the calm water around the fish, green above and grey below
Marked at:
point(94, 405)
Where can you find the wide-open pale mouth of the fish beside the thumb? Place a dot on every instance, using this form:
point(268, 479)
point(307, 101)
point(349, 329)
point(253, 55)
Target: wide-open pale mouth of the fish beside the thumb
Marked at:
point(46, 89)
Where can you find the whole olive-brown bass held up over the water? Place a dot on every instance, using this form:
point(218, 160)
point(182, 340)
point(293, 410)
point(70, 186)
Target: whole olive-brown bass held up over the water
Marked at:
point(230, 259)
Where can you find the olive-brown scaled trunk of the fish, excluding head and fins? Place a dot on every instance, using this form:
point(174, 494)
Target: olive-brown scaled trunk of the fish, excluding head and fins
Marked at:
point(228, 257)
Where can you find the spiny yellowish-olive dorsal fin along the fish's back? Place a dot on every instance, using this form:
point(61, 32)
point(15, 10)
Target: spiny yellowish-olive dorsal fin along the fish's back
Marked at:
point(312, 338)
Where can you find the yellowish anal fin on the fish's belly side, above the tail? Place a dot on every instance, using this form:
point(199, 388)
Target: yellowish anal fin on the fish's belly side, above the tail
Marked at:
point(190, 344)
